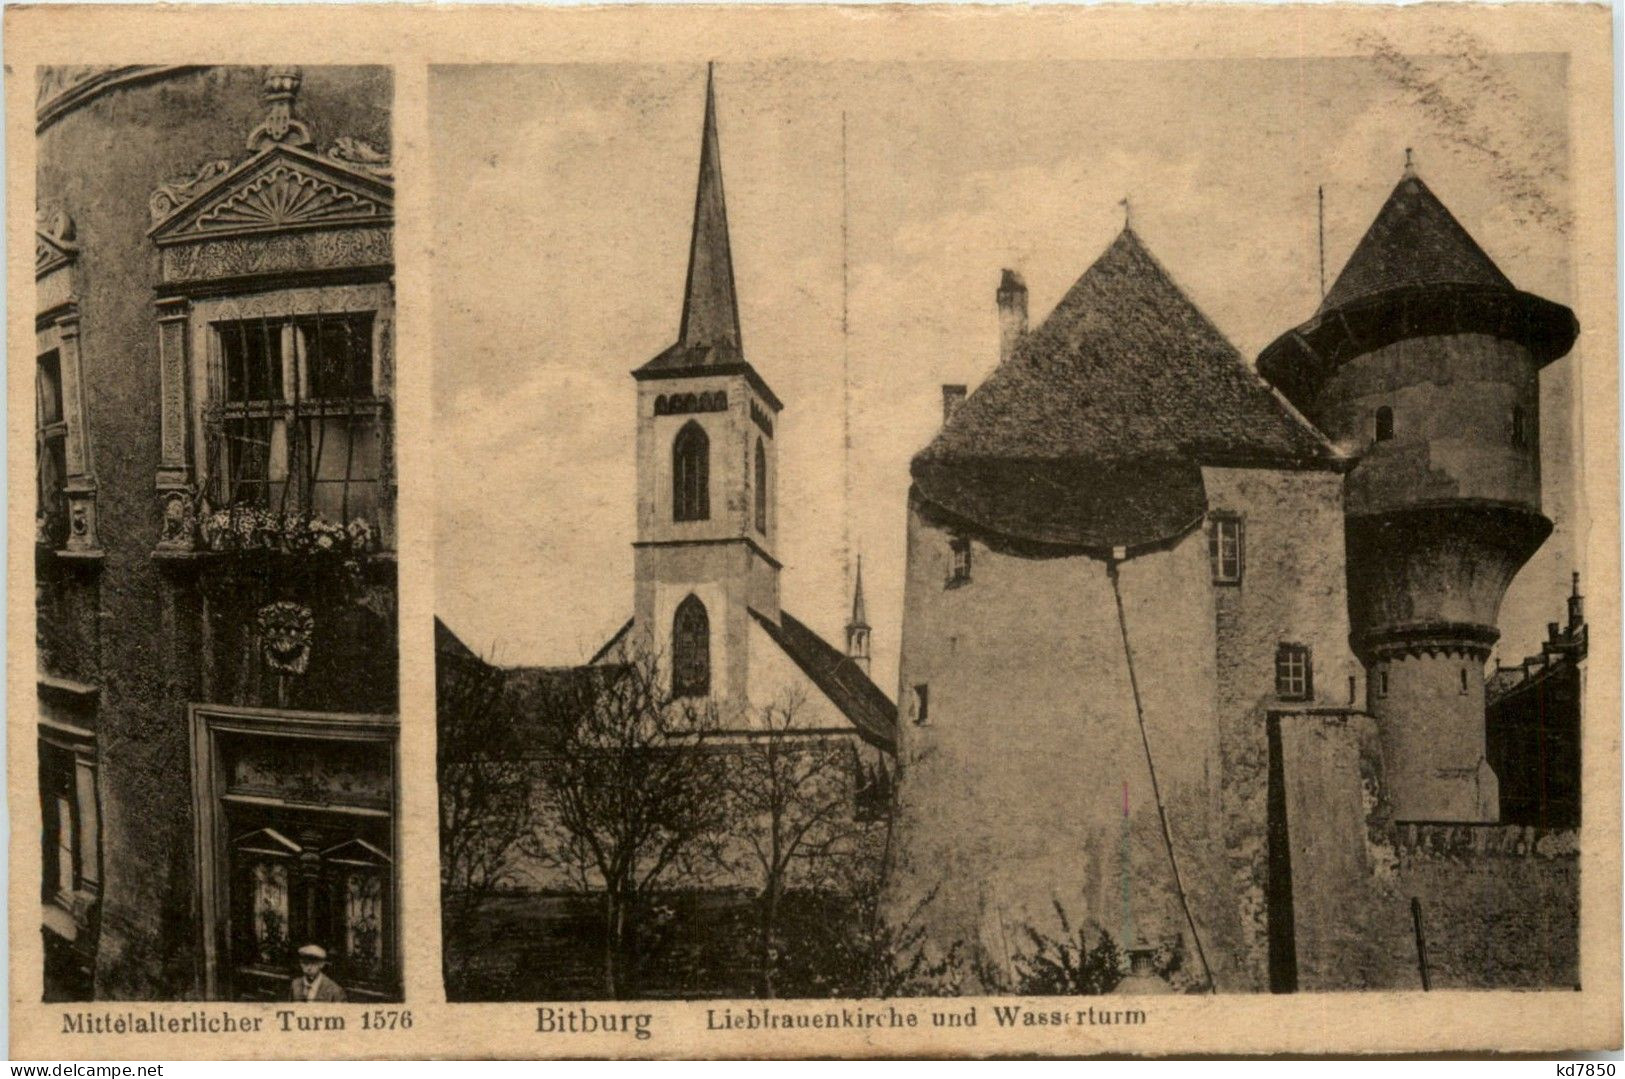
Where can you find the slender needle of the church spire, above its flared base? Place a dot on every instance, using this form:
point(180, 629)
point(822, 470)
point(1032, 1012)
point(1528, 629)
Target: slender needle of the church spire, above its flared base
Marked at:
point(711, 310)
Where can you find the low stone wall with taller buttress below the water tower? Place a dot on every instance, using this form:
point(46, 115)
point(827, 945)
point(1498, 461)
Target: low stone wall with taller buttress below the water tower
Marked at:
point(1499, 906)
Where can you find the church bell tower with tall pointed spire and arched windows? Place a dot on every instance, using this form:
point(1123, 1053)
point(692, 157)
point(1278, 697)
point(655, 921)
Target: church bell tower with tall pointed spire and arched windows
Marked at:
point(708, 470)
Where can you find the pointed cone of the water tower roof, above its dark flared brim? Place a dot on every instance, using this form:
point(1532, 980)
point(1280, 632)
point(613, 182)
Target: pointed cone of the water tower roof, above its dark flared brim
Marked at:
point(1413, 243)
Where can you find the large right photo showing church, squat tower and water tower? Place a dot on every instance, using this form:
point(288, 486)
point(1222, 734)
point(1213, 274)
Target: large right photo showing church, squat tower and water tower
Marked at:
point(1038, 529)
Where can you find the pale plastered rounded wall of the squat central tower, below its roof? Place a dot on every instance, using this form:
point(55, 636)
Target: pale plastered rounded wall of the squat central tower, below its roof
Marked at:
point(1025, 782)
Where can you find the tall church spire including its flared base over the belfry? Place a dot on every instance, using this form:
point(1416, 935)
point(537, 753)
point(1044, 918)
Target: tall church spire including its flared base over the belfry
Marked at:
point(709, 339)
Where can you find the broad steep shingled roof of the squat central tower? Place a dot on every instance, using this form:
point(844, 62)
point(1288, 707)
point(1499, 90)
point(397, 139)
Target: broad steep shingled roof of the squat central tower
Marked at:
point(1094, 433)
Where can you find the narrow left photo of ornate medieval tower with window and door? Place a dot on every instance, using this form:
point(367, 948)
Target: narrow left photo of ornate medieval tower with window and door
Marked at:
point(215, 534)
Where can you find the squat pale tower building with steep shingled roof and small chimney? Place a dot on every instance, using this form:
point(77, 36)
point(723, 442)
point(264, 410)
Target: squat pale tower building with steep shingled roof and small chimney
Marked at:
point(1129, 552)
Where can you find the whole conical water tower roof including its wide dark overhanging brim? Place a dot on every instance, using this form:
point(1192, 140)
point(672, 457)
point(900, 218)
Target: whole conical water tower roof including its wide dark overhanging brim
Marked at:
point(1416, 272)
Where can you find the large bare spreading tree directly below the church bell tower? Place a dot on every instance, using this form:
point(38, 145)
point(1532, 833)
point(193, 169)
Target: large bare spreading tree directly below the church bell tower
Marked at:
point(631, 792)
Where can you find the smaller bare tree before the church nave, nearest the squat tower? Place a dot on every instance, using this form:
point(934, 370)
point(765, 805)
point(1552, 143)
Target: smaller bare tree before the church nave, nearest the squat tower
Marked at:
point(797, 823)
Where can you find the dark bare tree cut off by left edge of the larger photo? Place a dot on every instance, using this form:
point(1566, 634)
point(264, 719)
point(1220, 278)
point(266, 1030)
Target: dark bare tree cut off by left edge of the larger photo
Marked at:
point(485, 799)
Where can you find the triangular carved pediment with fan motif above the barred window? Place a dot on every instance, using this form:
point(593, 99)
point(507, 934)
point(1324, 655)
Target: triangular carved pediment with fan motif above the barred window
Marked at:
point(282, 189)
